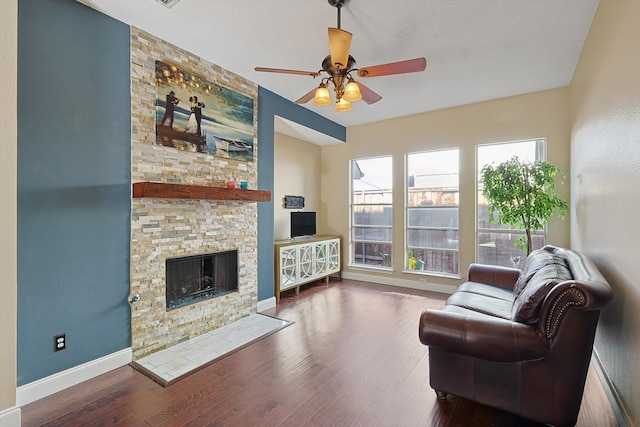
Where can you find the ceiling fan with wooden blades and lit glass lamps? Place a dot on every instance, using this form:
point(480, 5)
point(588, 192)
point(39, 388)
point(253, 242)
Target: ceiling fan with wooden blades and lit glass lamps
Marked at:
point(339, 66)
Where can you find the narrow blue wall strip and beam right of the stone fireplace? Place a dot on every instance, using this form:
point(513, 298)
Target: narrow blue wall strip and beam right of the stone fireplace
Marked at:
point(269, 106)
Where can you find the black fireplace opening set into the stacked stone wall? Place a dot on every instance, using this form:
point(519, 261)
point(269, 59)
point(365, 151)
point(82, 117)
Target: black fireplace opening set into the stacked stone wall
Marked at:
point(197, 278)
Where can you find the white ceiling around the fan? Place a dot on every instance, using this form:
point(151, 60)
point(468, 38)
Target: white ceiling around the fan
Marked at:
point(476, 50)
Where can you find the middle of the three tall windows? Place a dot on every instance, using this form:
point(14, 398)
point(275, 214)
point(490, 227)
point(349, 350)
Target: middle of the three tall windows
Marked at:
point(433, 193)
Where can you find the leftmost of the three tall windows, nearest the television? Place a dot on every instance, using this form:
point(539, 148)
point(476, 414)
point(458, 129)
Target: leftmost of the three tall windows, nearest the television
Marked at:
point(371, 212)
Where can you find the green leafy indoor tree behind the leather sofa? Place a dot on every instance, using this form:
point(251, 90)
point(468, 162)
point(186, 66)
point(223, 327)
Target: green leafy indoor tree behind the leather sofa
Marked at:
point(522, 195)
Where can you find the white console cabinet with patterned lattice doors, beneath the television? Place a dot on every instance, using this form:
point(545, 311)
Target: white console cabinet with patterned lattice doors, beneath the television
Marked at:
point(302, 261)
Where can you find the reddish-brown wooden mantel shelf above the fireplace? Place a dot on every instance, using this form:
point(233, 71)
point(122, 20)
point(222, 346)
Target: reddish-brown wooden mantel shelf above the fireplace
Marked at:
point(199, 192)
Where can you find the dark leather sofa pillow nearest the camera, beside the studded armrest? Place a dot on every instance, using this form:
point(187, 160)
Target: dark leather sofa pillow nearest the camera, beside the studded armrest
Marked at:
point(526, 307)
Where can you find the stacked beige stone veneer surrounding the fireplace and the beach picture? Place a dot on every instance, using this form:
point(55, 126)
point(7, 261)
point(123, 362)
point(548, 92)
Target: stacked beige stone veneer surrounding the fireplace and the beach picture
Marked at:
point(166, 228)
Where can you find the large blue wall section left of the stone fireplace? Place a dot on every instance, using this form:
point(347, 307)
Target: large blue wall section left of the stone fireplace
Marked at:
point(74, 185)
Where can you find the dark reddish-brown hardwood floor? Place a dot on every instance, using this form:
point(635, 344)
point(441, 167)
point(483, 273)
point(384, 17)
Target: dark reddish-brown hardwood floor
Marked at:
point(352, 358)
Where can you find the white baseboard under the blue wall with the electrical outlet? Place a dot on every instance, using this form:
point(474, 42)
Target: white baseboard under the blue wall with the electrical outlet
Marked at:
point(44, 387)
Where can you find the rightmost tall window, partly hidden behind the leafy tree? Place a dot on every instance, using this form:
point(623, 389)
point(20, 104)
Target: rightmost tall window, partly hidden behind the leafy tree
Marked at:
point(495, 241)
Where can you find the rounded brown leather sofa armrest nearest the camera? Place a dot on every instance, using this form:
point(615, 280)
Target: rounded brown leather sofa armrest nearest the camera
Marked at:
point(496, 339)
